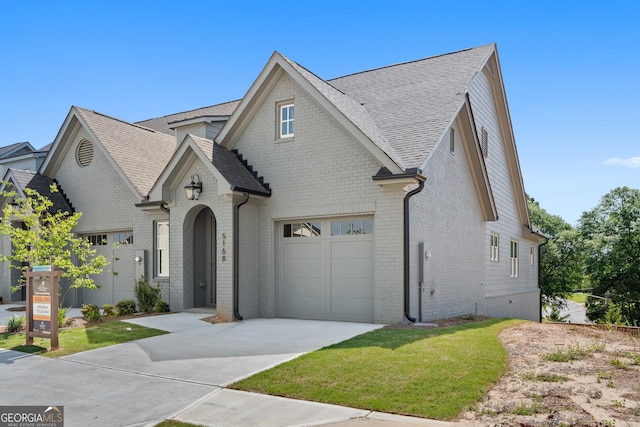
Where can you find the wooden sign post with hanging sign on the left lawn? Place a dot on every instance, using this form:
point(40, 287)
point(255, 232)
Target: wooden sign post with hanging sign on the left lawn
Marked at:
point(42, 303)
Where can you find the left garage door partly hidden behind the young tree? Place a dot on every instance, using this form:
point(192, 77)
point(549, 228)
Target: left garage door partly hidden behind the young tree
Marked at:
point(113, 287)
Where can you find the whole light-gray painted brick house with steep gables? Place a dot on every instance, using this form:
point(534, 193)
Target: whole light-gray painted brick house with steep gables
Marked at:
point(387, 194)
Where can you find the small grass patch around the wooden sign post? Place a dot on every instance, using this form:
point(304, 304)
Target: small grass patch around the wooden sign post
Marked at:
point(85, 338)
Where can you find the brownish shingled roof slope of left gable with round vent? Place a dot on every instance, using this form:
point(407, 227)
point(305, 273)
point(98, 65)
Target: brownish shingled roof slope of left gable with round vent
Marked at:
point(140, 153)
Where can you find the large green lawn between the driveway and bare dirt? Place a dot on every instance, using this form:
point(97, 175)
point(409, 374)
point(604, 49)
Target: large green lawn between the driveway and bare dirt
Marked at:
point(432, 373)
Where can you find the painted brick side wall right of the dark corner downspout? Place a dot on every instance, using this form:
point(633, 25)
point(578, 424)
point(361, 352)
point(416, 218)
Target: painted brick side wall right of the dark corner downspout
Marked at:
point(447, 217)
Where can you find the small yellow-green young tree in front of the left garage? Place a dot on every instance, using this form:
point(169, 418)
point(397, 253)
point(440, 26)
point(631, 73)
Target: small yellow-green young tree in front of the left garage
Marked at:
point(47, 238)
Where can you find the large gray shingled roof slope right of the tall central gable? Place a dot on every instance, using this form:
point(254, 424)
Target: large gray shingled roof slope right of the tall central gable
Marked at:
point(412, 103)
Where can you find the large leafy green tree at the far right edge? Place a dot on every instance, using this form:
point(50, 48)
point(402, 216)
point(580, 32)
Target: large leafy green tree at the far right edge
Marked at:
point(612, 233)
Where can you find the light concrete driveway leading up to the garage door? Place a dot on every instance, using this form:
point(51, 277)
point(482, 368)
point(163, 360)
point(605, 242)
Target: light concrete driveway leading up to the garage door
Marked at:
point(144, 381)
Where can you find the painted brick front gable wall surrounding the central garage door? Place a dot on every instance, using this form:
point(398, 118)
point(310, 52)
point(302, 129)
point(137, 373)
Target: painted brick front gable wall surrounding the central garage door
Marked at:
point(322, 172)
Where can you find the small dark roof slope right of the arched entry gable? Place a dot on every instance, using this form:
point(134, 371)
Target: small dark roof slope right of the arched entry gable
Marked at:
point(234, 169)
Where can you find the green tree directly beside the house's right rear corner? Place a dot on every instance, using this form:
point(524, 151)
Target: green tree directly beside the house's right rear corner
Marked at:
point(561, 258)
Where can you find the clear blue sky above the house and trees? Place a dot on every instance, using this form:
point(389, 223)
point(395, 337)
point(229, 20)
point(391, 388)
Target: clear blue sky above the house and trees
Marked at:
point(571, 68)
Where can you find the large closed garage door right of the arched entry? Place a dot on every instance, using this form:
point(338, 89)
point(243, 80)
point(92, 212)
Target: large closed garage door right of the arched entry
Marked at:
point(326, 269)
